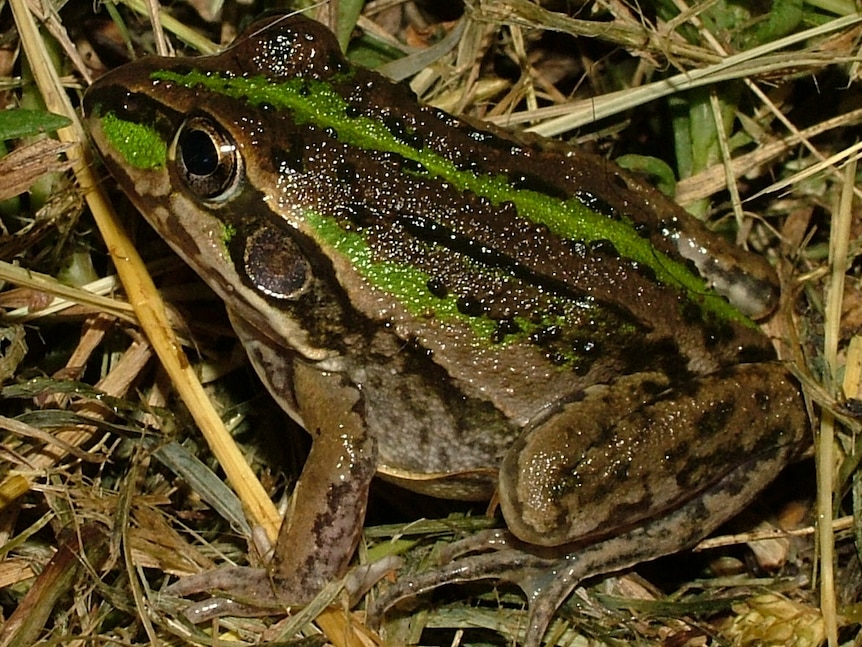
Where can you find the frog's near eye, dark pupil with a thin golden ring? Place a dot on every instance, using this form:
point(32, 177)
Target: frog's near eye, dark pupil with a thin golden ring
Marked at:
point(207, 159)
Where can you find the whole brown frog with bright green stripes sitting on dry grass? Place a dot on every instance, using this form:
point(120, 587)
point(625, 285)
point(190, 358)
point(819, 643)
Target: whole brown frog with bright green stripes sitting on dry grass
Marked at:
point(456, 309)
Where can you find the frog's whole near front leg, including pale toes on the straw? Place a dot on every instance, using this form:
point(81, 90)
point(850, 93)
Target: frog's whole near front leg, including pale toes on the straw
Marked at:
point(321, 531)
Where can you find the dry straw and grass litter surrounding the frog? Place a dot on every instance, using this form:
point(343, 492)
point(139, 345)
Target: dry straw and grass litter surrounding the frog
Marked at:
point(103, 489)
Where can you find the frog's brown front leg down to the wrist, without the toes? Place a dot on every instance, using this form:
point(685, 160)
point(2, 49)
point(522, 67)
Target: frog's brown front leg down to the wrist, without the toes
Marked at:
point(320, 533)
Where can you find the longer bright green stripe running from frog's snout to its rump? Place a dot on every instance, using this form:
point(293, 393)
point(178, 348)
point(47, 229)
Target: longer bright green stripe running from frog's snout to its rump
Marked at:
point(315, 102)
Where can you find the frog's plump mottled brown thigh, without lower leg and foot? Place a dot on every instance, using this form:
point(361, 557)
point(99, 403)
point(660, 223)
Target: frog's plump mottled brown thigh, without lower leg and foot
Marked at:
point(635, 450)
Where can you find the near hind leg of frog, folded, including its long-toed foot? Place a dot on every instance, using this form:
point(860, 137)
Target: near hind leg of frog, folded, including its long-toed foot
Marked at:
point(627, 473)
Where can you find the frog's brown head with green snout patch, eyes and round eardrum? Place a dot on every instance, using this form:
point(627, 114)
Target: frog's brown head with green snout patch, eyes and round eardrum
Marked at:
point(191, 142)
